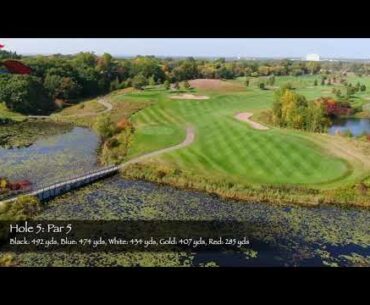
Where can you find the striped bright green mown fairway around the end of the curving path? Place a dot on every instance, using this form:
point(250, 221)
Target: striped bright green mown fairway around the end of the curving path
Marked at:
point(225, 147)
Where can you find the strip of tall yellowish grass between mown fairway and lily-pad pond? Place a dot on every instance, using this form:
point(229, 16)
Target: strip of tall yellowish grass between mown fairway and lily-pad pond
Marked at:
point(355, 194)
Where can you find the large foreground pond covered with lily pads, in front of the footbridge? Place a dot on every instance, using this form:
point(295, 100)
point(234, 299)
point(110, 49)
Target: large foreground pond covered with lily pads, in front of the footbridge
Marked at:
point(281, 235)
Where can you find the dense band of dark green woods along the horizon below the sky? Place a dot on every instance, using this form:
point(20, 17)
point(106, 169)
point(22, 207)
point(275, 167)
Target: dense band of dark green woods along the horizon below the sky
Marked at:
point(67, 77)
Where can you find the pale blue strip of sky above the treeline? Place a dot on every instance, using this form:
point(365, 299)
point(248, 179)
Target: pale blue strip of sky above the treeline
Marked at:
point(219, 47)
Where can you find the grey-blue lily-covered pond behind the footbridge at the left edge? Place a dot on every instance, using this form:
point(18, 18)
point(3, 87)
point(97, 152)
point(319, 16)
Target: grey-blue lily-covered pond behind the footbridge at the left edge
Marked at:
point(52, 158)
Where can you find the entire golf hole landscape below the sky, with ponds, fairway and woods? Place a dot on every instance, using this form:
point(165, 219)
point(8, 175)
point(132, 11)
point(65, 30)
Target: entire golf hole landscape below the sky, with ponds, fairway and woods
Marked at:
point(282, 146)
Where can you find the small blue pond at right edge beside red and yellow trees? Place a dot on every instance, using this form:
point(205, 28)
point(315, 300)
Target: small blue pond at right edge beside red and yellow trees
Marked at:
point(356, 126)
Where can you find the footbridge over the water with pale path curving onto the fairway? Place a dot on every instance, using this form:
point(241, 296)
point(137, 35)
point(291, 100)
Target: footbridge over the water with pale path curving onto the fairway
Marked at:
point(59, 188)
